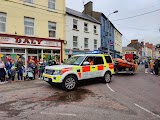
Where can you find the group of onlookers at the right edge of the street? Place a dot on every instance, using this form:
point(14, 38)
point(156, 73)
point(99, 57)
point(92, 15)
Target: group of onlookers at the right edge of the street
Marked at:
point(151, 66)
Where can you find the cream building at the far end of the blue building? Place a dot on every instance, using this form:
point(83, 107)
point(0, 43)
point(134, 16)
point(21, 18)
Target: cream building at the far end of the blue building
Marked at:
point(117, 41)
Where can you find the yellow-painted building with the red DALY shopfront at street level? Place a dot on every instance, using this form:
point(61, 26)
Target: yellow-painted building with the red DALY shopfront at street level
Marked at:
point(32, 28)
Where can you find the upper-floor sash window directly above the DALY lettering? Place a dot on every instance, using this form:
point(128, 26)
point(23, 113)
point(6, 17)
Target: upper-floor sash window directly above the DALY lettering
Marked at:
point(29, 26)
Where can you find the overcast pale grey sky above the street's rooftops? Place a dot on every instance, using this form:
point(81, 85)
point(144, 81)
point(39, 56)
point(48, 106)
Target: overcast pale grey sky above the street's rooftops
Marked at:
point(145, 28)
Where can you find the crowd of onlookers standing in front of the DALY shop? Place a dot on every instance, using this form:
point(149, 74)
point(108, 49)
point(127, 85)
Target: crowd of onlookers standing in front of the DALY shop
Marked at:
point(9, 70)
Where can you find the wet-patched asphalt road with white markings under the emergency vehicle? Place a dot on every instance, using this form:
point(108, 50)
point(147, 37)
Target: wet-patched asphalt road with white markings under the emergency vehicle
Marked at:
point(127, 97)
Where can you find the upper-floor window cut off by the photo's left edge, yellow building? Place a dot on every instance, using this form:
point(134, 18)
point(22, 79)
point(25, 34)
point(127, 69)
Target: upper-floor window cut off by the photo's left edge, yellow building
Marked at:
point(2, 22)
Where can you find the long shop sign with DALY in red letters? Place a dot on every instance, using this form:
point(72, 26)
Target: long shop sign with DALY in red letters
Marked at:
point(29, 41)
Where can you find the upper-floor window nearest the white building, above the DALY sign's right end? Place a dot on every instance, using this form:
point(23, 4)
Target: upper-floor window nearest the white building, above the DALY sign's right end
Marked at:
point(52, 29)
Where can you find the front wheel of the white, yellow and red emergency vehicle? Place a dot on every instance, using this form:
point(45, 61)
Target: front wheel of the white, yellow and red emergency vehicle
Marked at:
point(69, 83)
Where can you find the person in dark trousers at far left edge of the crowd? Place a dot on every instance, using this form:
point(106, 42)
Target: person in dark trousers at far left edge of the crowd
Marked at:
point(2, 71)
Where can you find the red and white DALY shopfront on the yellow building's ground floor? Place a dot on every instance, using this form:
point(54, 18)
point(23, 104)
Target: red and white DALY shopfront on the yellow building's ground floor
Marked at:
point(29, 48)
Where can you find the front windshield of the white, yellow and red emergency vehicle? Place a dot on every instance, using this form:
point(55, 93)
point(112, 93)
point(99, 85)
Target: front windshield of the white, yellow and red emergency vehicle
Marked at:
point(75, 60)
